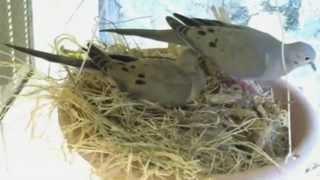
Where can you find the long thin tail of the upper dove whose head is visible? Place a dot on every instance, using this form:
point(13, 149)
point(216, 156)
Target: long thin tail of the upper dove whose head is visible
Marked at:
point(167, 35)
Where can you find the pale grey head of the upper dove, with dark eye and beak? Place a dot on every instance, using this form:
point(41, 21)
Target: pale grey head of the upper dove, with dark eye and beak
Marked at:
point(298, 54)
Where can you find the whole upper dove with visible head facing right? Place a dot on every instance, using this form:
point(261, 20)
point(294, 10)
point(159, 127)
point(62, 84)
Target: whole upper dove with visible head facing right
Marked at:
point(239, 51)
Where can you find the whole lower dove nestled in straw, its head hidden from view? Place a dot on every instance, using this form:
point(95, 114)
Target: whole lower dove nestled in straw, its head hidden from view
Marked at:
point(158, 80)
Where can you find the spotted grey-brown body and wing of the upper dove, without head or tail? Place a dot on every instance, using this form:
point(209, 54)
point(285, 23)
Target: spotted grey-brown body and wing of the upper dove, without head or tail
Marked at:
point(240, 51)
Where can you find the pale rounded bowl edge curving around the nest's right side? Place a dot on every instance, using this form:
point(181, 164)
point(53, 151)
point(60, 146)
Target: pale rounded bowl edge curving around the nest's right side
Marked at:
point(305, 140)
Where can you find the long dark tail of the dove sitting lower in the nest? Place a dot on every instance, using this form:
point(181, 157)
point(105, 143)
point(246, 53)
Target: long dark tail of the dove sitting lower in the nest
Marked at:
point(75, 62)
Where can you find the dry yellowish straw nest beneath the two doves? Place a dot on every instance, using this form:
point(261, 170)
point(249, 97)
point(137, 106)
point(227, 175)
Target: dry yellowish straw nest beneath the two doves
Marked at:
point(224, 131)
